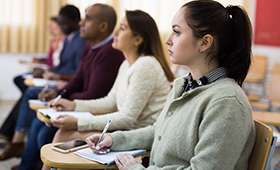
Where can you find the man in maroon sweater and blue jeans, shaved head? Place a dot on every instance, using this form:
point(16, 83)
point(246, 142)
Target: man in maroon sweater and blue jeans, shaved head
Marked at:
point(94, 78)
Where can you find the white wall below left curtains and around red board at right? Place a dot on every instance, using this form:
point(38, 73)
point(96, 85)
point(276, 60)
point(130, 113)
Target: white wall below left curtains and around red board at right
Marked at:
point(10, 66)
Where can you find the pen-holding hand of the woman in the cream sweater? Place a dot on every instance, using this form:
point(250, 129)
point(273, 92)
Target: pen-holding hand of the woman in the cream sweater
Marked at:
point(63, 105)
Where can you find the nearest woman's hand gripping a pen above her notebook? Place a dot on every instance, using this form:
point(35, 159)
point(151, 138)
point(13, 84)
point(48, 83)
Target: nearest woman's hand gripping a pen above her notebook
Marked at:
point(103, 146)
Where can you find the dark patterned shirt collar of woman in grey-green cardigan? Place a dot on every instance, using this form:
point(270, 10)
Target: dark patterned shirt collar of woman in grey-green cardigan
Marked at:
point(215, 75)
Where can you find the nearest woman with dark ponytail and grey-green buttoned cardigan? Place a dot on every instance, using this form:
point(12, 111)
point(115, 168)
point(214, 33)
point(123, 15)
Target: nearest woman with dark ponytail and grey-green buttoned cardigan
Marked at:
point(207, 121)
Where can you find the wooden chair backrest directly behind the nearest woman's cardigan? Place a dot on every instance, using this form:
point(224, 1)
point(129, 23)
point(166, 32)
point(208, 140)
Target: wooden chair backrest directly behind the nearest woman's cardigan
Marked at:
point(262, 146)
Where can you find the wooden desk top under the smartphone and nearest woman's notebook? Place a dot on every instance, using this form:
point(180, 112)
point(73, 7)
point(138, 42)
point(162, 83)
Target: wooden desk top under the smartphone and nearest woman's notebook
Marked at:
point(70, 160)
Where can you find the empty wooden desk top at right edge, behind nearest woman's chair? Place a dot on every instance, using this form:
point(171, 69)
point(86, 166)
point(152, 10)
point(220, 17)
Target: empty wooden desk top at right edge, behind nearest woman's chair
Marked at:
point(269, 118)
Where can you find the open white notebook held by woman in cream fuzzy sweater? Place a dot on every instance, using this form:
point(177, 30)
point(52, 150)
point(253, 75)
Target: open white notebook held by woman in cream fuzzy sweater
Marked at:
point(54, 114)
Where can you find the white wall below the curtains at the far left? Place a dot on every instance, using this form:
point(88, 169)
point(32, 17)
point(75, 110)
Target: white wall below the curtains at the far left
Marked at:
point(9, 68)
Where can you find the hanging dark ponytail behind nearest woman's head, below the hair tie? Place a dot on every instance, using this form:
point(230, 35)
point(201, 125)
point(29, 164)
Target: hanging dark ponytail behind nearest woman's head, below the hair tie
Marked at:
point(239, 60)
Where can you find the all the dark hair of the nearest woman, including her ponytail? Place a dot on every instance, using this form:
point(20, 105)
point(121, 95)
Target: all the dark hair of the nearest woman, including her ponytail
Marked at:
point(231, 30)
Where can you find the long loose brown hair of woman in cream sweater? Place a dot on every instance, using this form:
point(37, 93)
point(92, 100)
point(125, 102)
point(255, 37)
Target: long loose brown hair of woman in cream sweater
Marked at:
point(144, 25)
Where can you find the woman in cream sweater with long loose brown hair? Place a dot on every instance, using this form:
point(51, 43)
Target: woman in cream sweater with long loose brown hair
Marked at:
point(139, 92)
